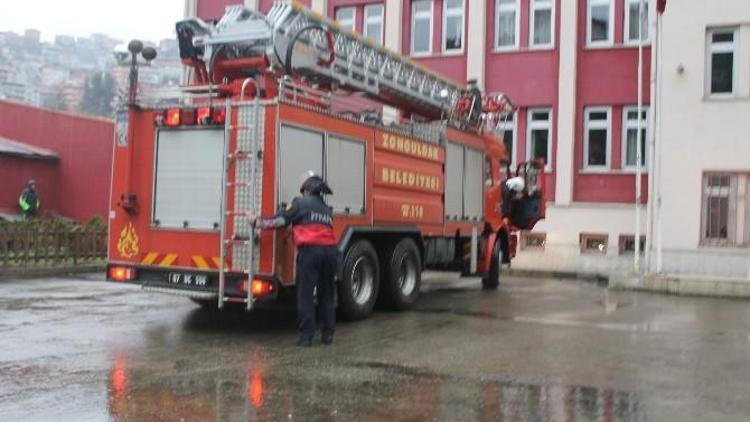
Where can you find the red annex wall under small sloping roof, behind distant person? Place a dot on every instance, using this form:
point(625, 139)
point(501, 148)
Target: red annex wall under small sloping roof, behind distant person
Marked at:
point(16, 171)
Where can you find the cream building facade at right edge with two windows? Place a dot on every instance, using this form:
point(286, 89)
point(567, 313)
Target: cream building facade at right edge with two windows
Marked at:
point(703, 181)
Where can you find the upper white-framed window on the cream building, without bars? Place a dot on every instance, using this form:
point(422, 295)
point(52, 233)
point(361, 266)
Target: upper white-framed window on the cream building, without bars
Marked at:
point(721, 57)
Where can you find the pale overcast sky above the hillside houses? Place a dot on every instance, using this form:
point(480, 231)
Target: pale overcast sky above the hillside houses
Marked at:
point(125, 19)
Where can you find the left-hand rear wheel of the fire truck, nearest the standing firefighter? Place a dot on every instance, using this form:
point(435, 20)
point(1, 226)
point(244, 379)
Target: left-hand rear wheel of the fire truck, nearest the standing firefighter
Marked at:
point(358, 288)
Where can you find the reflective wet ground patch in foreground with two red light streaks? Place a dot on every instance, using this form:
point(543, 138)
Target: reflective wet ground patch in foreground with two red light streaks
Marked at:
point(372, 391)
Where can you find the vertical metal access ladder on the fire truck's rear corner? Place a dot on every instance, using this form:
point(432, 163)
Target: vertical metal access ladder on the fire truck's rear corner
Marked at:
point(241, 181)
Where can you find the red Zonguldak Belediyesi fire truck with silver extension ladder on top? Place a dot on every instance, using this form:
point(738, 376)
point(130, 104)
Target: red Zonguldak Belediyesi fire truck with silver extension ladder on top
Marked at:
point(274, 96)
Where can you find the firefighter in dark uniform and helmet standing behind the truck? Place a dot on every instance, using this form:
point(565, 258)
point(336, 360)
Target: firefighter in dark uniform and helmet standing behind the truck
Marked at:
point(312, 229)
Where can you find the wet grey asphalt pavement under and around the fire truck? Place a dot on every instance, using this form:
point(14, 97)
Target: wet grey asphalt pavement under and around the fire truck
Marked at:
point(80, 349)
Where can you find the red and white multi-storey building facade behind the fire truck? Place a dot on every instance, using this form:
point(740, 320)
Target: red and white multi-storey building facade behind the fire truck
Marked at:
point(571, 67)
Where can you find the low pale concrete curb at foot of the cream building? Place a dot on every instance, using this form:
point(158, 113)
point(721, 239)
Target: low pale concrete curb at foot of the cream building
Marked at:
point(684, 285)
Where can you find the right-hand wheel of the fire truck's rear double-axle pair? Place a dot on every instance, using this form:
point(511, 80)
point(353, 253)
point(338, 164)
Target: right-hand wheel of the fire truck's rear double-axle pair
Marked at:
point(402, 275)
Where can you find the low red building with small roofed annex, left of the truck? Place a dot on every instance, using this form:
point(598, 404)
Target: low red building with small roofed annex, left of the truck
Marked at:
point(69, 155)
